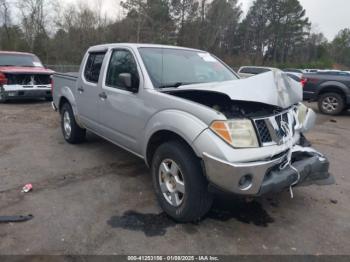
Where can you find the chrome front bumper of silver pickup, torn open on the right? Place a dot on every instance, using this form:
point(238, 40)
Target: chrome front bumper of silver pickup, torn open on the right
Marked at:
point(258, 178)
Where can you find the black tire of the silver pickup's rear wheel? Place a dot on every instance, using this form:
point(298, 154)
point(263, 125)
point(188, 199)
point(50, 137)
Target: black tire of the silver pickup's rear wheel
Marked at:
point(77, 134)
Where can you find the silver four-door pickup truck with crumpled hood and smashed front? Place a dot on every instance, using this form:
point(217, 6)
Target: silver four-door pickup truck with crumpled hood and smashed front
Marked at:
point(198, 126)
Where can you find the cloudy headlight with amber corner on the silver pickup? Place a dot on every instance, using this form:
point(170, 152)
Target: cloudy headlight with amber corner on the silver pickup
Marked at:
point(239, 133)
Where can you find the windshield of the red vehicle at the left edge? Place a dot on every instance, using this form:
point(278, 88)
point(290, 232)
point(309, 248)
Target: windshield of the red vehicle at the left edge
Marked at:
point(19, 60)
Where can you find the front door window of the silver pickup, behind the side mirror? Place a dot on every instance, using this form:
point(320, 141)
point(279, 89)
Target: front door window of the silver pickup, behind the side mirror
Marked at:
point(122, 61)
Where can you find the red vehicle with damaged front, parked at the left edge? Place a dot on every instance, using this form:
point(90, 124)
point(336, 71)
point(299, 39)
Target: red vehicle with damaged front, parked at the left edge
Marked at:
point(22, 75)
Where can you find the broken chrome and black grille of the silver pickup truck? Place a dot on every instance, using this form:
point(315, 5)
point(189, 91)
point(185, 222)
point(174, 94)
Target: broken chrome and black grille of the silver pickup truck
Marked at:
point(275, 129)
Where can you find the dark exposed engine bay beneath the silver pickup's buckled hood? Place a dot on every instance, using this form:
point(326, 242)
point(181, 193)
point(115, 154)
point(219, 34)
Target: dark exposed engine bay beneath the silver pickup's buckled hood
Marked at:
point(223, 103)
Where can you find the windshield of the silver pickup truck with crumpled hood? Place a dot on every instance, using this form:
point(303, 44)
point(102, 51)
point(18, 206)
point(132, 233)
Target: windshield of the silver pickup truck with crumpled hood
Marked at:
point(176, 67)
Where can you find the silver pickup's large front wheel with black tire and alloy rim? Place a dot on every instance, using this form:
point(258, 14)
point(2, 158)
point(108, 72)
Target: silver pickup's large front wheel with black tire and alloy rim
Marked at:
point(181, 188)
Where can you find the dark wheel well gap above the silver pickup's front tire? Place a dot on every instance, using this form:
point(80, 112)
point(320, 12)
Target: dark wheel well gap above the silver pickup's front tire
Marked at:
point(159, 138)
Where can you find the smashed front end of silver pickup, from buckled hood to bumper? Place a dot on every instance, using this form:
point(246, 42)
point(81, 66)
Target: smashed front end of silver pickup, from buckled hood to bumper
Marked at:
point(275, 155)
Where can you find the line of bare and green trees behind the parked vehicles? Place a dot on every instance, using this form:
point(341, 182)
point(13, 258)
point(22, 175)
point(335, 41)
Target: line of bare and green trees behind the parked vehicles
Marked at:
point(273, 32)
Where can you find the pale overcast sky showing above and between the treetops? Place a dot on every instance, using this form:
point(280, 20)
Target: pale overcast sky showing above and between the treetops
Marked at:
point(327, 16)
